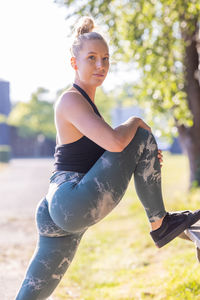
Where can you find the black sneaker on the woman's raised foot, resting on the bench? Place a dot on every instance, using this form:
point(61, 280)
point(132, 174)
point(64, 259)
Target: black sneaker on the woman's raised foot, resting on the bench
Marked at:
point(174, 224)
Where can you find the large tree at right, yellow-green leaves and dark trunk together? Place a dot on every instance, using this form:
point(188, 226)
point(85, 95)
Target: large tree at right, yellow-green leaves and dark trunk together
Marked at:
point(162, 38)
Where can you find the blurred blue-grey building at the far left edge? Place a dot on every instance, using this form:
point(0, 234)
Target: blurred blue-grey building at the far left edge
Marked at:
point(5, 107)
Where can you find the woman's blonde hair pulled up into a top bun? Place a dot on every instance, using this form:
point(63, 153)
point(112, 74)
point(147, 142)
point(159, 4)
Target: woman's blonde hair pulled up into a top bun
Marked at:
point(84, 32)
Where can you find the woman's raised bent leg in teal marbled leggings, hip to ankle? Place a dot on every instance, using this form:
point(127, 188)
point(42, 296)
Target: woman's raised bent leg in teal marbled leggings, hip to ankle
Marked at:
point(76, 205)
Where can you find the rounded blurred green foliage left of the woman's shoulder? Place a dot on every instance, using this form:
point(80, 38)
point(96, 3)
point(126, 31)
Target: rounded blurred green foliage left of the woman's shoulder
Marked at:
point(34, 117)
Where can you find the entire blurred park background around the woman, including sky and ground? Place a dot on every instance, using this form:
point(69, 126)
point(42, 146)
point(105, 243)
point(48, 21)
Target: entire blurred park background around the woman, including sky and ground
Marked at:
point(154, 74)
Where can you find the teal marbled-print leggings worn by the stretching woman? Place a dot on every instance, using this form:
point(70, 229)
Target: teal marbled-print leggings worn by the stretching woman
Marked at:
point(76, 201)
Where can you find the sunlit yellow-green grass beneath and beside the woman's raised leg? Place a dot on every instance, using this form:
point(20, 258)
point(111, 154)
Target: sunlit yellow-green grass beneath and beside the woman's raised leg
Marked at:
point(117, 259)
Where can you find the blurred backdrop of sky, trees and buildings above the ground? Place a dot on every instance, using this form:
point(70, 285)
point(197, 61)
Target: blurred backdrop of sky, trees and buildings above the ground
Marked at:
point(154, 71)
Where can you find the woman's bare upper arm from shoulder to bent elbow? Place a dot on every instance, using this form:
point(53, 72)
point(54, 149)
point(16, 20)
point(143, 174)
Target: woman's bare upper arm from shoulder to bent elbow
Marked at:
point(80, 114)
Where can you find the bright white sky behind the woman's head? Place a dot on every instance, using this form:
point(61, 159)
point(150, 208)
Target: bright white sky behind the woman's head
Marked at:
point(34, 48)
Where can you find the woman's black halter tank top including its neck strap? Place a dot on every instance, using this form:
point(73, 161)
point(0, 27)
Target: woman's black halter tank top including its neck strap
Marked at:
point(80, 155)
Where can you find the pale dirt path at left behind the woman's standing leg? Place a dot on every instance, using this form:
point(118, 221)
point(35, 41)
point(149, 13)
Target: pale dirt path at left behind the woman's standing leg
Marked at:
point(22, 184)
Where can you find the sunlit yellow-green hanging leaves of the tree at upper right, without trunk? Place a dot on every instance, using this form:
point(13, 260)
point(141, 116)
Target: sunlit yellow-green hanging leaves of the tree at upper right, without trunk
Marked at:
point(150, 33)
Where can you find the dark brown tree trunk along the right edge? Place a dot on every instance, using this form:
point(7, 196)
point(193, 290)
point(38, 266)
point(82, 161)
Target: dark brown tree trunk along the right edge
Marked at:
point(190, 137)
